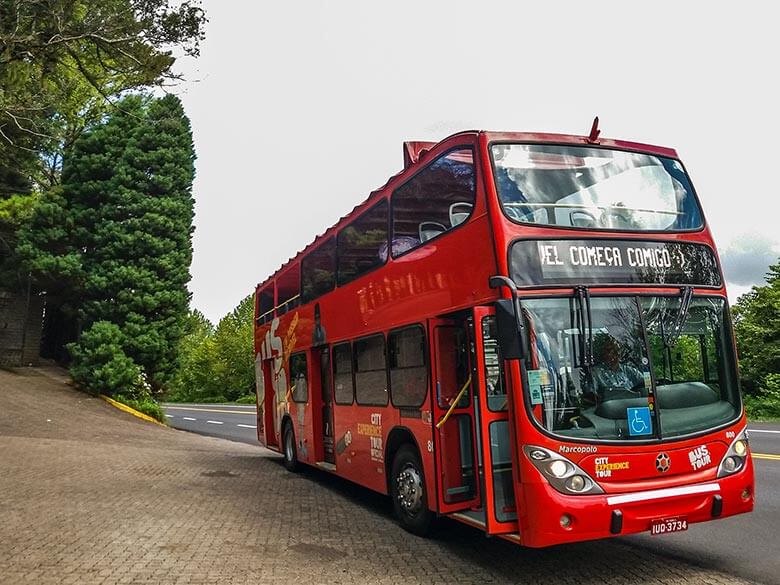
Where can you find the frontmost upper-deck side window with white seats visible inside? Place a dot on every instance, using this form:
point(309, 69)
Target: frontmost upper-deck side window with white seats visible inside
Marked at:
point(434, 201)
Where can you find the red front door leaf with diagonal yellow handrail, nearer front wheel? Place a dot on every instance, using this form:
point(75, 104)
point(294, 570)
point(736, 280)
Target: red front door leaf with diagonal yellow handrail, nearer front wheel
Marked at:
point(453, 416)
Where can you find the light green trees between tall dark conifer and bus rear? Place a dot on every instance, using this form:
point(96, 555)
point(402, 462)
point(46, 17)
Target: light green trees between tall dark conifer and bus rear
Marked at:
point(217, 365)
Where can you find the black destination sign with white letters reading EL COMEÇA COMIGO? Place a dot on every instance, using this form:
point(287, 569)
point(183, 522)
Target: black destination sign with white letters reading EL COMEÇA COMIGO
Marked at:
point(571, 262)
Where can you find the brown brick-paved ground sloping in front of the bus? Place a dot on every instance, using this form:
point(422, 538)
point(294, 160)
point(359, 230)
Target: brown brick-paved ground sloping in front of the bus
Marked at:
point(91, 495)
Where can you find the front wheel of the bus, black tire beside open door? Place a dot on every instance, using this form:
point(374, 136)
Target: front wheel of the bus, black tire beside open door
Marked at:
point(407, 489)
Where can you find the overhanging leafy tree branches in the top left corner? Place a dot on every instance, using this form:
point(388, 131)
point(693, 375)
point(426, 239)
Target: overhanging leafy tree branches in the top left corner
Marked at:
point(62, 62)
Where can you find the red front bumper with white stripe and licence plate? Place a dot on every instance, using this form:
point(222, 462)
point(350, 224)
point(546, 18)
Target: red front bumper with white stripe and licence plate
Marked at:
point(555, 518)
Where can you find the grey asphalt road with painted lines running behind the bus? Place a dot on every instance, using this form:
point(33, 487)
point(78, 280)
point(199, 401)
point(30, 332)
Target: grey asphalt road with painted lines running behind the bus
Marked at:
point(746, 546)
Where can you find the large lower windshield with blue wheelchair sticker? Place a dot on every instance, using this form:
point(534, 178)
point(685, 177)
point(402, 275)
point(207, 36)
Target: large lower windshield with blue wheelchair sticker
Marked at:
point(630, 368)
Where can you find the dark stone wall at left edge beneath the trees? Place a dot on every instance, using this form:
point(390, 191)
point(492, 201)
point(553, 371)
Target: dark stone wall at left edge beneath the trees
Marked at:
point(13, 310)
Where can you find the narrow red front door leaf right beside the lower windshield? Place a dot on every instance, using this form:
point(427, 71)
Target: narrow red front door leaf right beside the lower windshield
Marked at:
point(495, 428)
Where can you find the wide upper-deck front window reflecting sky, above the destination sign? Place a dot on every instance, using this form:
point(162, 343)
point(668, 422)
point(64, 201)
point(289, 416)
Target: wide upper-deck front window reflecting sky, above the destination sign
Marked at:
point(593, 188)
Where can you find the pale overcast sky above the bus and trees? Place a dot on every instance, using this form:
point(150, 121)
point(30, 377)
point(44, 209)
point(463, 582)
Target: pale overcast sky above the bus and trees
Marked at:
point(299, 110)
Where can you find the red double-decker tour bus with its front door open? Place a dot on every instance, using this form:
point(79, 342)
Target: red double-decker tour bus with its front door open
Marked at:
point(528, 333)
